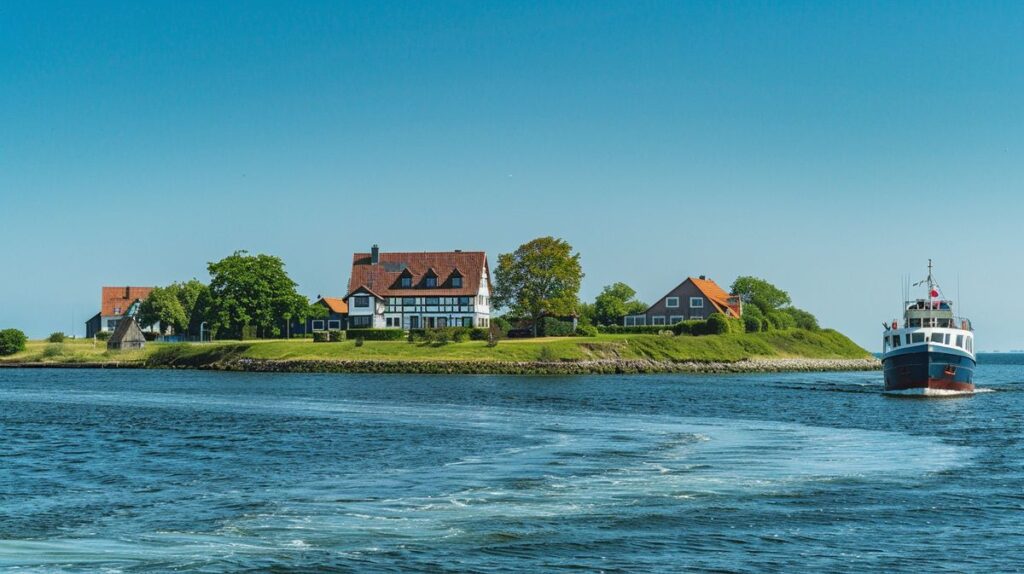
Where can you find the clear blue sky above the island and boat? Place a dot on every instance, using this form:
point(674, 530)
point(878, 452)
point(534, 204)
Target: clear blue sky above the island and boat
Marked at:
point(829, 148)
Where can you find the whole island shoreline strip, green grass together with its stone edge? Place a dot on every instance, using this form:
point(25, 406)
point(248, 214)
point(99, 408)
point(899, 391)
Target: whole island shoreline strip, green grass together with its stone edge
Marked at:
point(773, 351)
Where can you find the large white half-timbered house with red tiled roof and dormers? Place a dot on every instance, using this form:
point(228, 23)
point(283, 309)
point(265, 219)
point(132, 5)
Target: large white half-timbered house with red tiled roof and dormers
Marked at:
point(413, 291)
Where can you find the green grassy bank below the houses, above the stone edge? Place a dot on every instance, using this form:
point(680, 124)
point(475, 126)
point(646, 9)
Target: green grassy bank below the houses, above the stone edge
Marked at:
point(721, 348)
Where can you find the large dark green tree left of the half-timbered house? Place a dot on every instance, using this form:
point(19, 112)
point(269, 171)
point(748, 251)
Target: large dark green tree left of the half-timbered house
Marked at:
point(252, 290)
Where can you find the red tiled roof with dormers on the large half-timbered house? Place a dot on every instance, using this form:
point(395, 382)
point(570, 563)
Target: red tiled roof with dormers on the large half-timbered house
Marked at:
point(382, 279)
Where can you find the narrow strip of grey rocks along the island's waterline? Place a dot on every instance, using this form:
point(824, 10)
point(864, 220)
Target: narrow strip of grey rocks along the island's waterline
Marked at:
point(558, 368)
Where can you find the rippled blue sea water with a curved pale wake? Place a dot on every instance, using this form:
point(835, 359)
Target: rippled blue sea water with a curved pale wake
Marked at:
point(157, 471)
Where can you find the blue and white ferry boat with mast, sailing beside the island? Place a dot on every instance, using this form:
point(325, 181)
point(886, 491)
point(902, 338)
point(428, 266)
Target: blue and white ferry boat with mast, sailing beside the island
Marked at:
point(932, 352)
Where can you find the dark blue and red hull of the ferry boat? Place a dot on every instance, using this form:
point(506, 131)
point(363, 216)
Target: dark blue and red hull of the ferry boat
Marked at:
point(929, 371)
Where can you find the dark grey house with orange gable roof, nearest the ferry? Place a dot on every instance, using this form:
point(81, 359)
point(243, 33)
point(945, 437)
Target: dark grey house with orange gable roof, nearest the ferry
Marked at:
point(696, 298)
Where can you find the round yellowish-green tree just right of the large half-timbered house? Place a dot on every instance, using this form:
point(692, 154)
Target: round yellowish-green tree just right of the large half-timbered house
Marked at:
point(540, 279)
